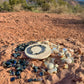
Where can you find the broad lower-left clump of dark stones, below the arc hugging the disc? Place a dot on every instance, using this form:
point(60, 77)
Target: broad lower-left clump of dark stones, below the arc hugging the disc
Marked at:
point(17, 65)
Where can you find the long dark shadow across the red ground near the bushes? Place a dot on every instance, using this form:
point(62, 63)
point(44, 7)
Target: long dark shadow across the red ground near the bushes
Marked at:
point(67, 22)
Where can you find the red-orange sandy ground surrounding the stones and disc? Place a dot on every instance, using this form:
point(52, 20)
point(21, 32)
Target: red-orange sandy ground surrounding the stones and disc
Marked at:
point(19, 27)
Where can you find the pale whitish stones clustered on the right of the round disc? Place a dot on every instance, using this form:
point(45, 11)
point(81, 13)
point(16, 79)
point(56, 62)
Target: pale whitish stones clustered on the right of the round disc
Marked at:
point(65, 57)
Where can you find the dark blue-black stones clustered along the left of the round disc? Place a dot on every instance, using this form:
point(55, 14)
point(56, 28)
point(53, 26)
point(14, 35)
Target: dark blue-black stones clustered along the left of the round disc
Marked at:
point(18, 65)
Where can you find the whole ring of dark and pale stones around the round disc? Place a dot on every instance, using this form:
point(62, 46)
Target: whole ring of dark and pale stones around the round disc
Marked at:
point(50, 66)
